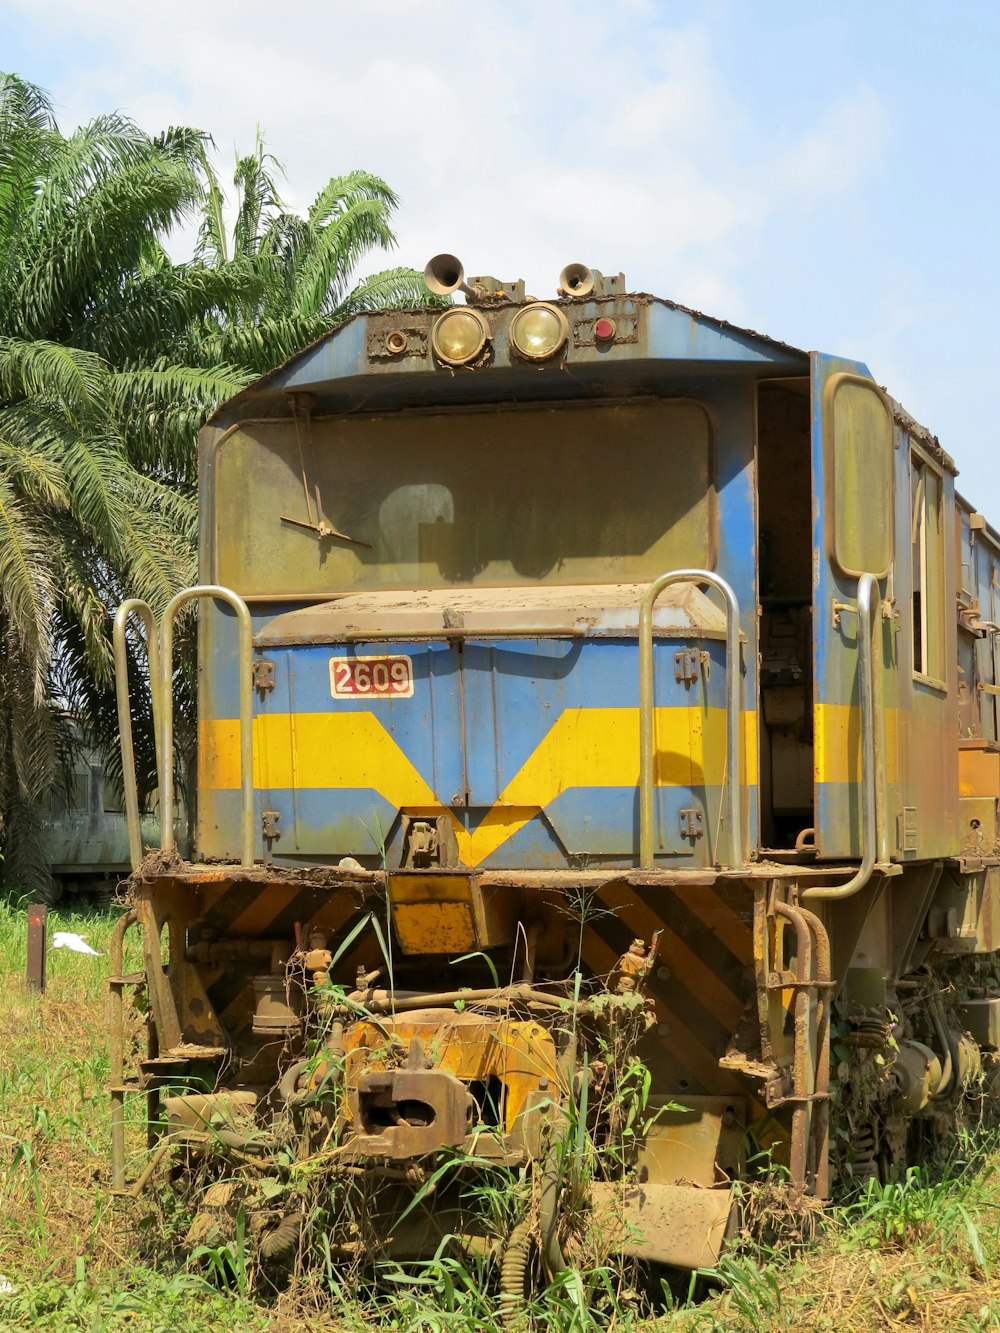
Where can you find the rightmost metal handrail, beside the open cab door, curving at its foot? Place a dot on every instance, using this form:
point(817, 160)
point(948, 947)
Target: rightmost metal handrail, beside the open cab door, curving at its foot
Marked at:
point(873, 748)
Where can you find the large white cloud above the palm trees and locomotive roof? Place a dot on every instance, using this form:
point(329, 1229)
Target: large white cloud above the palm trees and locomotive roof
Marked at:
point(521, 138)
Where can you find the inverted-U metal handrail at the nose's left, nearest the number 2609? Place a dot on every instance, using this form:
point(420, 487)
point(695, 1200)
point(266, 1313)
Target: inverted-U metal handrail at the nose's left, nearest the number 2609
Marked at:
point(246, 659)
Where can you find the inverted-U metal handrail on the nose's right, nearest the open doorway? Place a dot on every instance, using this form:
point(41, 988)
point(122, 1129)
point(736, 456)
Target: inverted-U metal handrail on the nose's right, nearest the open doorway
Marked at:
point(646, 708)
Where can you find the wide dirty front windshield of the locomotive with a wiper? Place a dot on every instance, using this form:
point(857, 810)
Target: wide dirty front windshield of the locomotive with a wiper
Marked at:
point(559, 495)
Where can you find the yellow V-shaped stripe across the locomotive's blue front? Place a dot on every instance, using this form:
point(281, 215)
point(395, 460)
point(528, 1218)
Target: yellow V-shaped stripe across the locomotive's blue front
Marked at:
point(586, 747)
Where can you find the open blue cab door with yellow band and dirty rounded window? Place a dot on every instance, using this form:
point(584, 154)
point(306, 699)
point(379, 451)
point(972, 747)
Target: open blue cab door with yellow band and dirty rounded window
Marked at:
point(853, 535)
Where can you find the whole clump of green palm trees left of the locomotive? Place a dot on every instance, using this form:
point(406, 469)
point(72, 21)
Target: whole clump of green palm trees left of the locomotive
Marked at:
point(111, 358)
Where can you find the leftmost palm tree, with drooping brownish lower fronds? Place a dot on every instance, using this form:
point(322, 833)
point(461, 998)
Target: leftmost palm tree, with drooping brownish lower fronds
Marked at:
point(79, 217)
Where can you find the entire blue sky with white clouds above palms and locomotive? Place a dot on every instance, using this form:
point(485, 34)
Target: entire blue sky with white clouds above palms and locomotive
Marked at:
point(827, 174)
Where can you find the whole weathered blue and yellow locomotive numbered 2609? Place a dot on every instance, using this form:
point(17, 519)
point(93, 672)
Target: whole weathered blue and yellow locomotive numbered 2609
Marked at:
point(598, 775)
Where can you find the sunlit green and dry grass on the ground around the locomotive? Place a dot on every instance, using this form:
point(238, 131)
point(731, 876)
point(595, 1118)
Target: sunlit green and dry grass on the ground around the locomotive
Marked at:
point(918, 1255)
